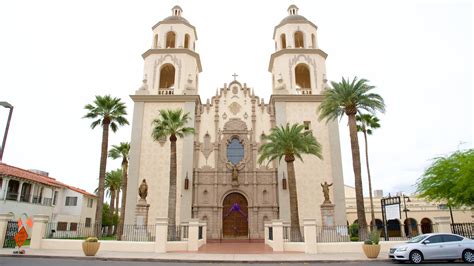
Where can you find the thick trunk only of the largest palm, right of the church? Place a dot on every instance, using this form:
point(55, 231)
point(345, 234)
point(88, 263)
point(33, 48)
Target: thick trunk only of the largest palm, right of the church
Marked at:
point(357, 177)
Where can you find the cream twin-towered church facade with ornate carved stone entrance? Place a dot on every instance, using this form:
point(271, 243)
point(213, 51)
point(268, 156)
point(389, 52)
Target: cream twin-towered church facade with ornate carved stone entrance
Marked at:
point(218, 178)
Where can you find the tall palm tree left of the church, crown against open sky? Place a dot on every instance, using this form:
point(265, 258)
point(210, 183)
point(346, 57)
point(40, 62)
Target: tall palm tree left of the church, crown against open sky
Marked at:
point(107, 112)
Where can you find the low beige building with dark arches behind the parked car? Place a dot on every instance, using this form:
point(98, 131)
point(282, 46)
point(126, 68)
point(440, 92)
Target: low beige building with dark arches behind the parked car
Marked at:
point(420, 214)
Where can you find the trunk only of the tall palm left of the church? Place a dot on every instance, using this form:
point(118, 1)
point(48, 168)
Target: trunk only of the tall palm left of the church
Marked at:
point(103, 165)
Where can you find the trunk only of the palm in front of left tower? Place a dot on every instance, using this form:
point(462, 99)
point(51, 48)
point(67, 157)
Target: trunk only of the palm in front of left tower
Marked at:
point(172, 190)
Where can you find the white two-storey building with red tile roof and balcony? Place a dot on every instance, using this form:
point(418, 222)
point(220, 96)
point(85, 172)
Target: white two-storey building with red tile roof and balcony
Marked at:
point(25, 193)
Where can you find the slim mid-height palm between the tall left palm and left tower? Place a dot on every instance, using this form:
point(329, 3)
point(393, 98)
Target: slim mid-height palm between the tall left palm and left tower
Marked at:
point(121, 151)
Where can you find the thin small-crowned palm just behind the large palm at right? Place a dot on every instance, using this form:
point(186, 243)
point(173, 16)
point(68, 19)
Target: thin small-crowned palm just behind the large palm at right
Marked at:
point(367, 123)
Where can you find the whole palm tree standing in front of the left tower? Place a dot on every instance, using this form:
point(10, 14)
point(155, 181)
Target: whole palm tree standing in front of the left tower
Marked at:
point(172, 124)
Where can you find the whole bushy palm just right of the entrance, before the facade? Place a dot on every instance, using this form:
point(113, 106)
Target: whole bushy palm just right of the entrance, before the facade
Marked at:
point(290, 142)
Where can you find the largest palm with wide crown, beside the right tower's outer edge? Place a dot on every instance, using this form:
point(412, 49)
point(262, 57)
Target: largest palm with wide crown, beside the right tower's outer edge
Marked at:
point(349, 98)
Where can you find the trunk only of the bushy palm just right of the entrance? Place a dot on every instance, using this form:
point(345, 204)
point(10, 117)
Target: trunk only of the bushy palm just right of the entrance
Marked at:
point(295, 234)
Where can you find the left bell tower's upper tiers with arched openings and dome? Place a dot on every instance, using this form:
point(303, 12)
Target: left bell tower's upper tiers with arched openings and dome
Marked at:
point(172, 65)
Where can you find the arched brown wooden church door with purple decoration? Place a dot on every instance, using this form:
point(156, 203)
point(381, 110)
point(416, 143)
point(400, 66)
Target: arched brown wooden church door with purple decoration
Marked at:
point(235, 216)
